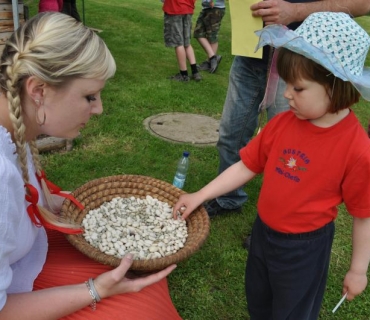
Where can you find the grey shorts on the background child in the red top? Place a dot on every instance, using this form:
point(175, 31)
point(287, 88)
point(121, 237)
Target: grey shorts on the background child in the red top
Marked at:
point(177, 29)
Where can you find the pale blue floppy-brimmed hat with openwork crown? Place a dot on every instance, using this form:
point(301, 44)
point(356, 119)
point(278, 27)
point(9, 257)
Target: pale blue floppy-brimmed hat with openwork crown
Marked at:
point(331, 39)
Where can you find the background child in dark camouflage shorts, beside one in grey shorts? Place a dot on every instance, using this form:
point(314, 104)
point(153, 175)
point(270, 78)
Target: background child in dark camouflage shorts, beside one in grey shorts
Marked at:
point(206, 32)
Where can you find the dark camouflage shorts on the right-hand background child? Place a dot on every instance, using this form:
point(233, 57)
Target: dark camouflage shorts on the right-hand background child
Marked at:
point(209, 23)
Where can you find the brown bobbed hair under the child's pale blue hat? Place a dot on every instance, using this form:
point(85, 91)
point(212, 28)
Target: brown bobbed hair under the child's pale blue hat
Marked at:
point(293, 66)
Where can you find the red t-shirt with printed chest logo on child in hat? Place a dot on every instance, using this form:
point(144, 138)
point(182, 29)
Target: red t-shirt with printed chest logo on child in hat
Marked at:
point(308, 171)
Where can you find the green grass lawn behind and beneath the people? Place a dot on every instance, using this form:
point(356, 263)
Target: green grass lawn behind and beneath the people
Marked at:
point(210, 285)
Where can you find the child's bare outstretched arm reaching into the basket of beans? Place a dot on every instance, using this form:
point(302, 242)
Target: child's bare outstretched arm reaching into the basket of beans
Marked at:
point(229, 180)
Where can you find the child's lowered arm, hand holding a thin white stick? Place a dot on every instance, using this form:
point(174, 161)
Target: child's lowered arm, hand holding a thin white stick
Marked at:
point(355, 280)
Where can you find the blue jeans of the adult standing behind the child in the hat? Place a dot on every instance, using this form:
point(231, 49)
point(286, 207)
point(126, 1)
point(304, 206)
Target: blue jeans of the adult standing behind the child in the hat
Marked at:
point(247, 82)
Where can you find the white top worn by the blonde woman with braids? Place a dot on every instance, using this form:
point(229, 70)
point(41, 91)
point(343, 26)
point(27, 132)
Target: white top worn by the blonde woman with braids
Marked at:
point(23, 246)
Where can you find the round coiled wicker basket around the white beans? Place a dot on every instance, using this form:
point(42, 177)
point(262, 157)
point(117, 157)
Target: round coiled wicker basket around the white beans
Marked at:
point(94, 193)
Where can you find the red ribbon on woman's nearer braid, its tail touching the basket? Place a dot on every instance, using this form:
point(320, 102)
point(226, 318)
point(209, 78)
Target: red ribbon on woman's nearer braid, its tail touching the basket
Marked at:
point(32, 196)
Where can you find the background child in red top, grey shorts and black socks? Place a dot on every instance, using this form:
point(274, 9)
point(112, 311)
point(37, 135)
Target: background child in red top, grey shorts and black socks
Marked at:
point(177, 34)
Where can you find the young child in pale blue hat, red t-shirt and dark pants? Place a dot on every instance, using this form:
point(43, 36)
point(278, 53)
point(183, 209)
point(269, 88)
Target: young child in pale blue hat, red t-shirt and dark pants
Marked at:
point(314, 157)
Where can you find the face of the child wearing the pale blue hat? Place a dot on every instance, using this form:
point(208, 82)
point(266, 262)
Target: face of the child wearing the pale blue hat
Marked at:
point(308, 100)
